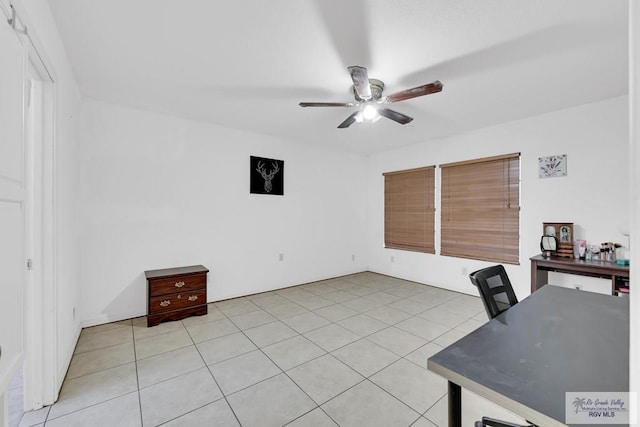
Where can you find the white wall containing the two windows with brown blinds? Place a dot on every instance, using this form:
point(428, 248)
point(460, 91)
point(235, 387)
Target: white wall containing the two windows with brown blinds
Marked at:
point(594, 195)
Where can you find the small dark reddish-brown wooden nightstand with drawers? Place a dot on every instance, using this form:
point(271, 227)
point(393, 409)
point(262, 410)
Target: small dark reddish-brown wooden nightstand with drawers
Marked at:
point(176, 293)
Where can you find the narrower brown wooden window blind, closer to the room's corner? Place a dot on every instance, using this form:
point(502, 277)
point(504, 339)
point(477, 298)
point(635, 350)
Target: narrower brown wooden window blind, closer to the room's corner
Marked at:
point(409, 211)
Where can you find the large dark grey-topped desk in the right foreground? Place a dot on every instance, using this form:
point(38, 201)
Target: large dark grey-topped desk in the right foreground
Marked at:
point(554, 341)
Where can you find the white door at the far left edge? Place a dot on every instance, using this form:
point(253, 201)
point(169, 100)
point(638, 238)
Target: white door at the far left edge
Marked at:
point(12, 205)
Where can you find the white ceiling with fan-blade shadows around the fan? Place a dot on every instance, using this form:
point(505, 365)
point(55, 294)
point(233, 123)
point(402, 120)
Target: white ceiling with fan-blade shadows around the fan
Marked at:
point(246, 64)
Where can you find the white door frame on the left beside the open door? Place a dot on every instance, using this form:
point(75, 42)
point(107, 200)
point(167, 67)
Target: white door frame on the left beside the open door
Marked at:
point(40, 341)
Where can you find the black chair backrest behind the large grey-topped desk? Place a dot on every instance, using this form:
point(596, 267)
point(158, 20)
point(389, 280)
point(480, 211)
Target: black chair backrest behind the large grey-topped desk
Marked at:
point(495, 289)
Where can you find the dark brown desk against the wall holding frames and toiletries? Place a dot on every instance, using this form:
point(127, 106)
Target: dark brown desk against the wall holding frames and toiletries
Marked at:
point(608, 270)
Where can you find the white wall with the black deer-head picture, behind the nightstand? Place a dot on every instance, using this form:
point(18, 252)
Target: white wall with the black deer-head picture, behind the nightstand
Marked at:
point(159, 191)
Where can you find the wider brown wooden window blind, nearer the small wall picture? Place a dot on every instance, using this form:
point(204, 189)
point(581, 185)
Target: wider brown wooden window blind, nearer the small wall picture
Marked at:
point(481, 209)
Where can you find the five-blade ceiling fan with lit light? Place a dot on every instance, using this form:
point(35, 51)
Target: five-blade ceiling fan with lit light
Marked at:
point(368, 96)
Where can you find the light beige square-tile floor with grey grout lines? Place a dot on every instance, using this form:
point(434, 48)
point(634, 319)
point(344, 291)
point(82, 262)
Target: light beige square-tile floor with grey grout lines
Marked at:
point(350, 351)
